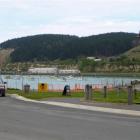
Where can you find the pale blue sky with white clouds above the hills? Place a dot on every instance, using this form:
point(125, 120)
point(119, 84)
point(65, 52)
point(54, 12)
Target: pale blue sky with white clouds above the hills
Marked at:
point(20, 18)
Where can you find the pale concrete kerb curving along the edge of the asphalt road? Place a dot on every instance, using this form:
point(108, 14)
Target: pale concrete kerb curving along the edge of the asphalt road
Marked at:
point(83, 107)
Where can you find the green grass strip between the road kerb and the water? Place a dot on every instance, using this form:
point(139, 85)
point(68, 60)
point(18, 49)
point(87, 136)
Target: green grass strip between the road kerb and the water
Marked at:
point(112, 96)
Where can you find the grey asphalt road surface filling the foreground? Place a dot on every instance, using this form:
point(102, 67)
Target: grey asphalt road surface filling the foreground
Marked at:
point(21, 120)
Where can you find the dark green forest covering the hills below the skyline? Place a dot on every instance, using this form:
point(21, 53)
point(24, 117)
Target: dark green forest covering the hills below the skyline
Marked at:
point(53, 47)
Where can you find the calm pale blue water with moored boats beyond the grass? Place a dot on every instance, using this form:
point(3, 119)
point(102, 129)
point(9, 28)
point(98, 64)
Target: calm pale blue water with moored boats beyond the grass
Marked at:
point(58, 82)
